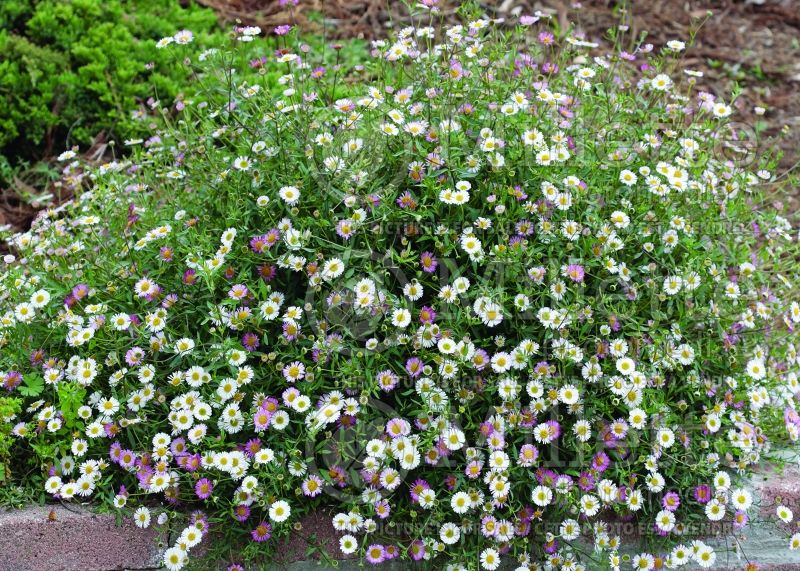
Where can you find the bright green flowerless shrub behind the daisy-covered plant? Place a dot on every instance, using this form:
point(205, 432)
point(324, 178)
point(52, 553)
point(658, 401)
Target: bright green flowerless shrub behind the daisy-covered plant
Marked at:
point(72, 68)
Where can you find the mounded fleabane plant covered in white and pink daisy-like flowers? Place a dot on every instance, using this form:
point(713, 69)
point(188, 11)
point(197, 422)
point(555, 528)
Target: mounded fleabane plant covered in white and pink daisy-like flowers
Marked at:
point(482, 295)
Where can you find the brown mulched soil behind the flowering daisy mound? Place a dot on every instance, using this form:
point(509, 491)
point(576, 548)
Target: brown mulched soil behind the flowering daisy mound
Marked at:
point(755, 43)
